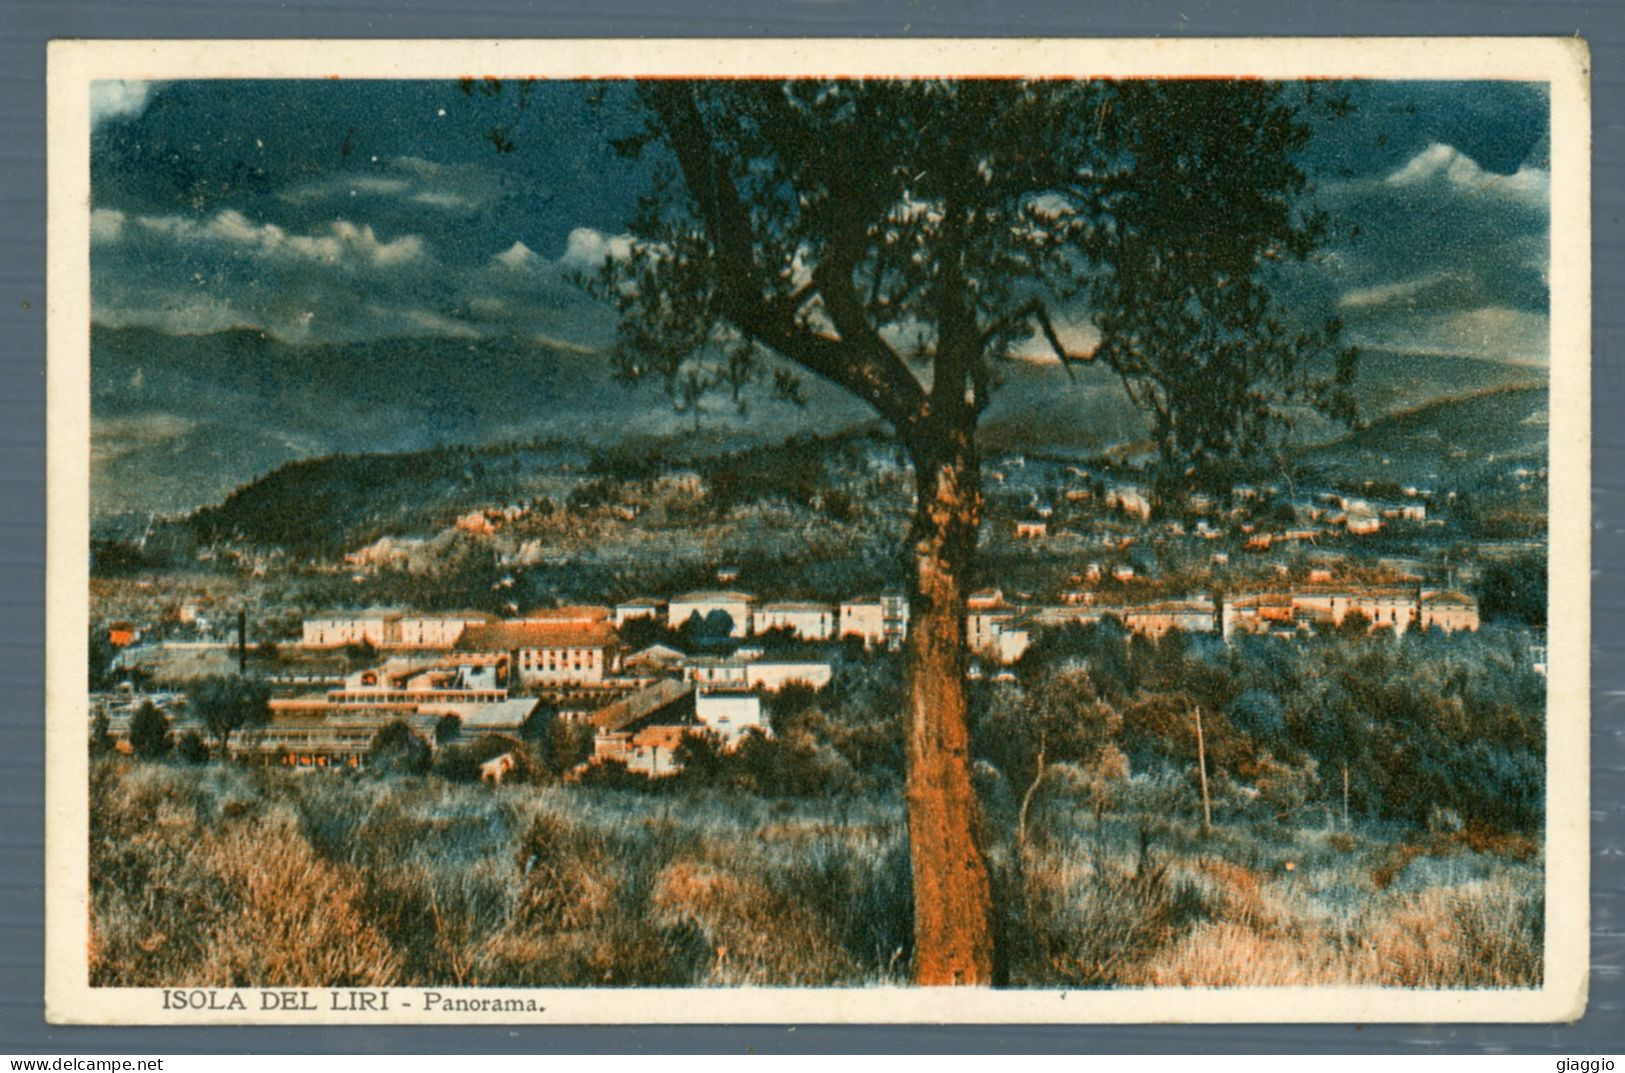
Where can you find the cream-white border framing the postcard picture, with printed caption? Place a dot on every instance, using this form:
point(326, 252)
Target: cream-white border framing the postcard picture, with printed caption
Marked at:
point(1564, 64)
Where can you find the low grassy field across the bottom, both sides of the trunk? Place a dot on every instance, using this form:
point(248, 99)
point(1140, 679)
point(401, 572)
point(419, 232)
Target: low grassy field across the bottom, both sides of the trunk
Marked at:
point(230, 877)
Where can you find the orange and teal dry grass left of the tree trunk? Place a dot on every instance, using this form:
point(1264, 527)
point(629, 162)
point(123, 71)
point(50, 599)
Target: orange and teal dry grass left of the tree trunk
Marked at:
point(223, 877)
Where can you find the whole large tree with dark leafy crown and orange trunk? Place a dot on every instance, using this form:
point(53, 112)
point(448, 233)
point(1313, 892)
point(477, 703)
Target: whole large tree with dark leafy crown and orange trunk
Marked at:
point(903, 240)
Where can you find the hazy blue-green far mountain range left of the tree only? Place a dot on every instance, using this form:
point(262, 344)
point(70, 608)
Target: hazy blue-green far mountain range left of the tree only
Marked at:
point(180, 422)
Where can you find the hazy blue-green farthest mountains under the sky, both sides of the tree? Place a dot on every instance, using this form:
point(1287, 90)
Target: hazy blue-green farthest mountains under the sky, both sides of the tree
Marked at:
point(181, 422)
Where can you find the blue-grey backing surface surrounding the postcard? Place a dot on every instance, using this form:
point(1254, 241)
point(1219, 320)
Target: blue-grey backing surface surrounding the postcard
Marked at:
point(27, 25)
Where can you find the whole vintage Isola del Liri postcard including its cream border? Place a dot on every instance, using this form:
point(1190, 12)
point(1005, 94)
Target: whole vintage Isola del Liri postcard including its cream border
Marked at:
point(818, 531)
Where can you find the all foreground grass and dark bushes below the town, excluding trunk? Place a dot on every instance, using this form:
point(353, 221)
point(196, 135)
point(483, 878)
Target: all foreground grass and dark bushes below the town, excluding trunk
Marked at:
point(1377, 810)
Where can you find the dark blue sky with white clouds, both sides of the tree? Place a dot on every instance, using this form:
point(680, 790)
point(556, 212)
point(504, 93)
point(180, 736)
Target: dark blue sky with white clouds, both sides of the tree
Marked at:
point(337, 212)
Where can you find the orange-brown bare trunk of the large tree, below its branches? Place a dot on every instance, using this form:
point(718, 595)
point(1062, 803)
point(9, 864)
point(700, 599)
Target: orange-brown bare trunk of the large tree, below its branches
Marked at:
point(951, 892)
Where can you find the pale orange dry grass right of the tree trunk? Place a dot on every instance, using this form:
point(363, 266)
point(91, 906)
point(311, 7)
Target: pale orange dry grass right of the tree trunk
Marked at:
point(1301, 910)
